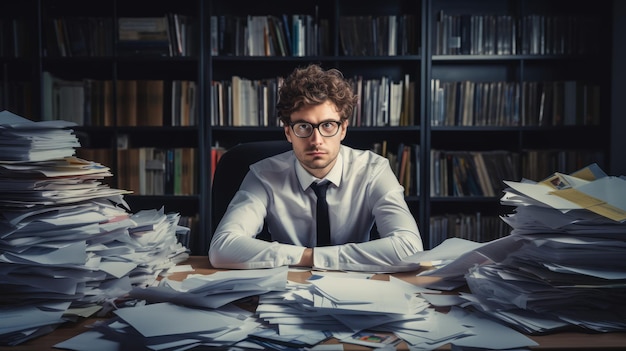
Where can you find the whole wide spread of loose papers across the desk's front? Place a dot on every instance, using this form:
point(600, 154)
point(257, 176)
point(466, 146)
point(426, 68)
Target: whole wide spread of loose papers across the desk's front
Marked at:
point(292, 316)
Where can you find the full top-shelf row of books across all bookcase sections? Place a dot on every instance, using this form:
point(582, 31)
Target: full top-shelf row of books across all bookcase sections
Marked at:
point(307, 35)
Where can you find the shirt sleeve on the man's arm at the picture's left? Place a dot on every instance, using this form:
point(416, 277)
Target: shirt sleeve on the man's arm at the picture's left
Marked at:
point(234, 244)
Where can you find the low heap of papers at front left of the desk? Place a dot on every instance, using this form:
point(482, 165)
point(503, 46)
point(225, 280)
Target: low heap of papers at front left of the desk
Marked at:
point(165, 326)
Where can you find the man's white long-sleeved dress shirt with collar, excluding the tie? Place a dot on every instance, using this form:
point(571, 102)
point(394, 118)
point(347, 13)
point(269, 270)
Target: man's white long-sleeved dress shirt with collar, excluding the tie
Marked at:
point(363, 191)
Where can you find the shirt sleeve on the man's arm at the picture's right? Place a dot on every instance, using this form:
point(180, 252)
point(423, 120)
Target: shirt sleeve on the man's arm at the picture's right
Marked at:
point(396, 225)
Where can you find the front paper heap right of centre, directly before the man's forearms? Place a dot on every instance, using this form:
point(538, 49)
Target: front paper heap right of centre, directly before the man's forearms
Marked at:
point(373, 313)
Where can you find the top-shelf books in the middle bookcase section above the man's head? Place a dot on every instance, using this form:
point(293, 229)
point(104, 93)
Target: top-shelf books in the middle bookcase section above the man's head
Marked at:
point(308, 35)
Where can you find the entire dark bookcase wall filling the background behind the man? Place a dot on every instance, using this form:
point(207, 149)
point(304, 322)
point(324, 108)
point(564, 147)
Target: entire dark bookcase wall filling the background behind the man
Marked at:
point(475, 78)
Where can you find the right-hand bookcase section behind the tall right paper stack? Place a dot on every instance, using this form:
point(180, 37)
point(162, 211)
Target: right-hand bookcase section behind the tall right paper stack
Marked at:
point(533, 95)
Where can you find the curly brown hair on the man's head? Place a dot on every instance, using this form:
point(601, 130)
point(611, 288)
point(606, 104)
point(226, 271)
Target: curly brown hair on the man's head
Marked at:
point(313, 85)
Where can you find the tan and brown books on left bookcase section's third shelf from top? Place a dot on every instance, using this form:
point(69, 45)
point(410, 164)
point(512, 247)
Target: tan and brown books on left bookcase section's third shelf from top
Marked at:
point(157, 171)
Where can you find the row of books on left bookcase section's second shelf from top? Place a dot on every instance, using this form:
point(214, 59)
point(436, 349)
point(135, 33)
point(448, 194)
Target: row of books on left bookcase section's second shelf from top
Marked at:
point(92, 102)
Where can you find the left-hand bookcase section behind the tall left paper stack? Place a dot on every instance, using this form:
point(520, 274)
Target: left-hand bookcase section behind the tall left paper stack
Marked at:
point(130, 75)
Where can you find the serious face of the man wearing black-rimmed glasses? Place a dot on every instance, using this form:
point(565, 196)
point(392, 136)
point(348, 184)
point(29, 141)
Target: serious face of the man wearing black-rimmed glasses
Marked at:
point(317, 153)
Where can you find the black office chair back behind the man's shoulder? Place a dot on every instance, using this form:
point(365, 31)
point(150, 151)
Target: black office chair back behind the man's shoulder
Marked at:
point(232, 168)
